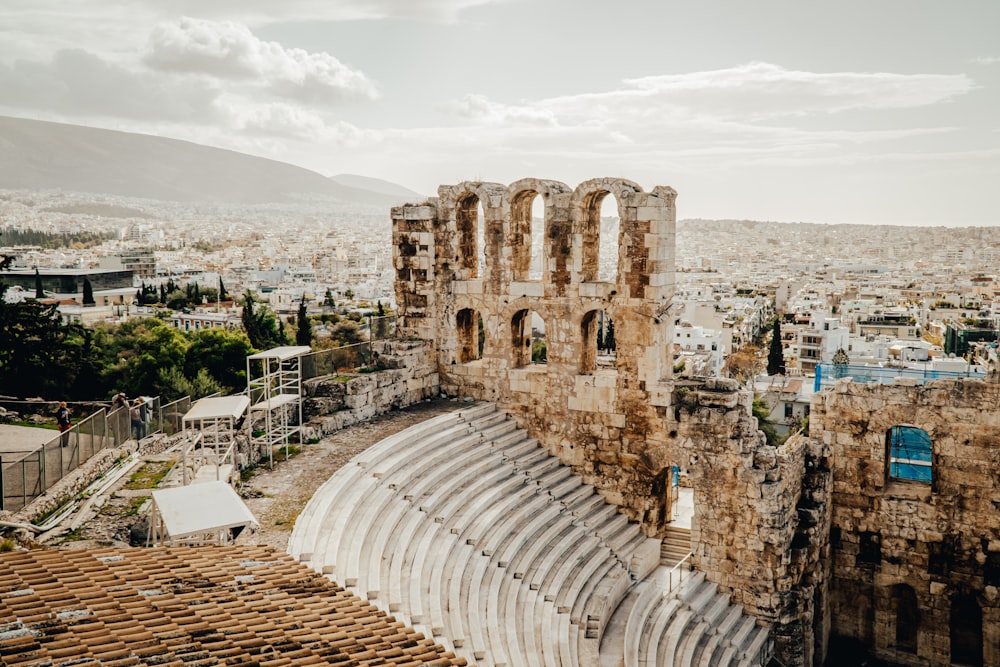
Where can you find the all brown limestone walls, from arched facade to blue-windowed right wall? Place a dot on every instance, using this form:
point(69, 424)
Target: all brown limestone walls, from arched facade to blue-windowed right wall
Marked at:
point(813, 537)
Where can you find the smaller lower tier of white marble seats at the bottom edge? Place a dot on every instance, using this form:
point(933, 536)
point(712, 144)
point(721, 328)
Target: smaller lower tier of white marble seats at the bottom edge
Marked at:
point(694, 625)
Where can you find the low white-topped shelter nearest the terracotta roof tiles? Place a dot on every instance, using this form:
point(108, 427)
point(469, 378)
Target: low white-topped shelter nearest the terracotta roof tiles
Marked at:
point(200, 513)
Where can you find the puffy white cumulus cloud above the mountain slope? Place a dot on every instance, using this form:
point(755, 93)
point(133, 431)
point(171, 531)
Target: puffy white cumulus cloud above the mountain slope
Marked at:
point(228, 50)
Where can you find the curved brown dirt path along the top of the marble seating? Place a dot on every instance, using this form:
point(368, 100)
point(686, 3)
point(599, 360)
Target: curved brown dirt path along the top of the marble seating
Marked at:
point(276, 497)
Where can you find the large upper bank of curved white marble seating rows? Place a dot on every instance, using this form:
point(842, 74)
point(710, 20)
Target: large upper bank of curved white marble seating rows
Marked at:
point(464, 528)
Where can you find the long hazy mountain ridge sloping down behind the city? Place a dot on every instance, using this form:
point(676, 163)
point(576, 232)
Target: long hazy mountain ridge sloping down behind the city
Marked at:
point(39, 155)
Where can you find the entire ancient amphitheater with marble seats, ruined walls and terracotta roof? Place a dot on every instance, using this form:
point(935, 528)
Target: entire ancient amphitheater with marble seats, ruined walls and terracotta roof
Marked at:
point(578, 510)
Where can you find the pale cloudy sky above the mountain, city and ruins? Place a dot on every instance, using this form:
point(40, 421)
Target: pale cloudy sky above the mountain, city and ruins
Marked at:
point(857, 111)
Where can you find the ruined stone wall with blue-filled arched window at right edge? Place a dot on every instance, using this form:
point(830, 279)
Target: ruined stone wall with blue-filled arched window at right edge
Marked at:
point(913, 556)
